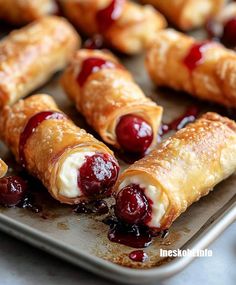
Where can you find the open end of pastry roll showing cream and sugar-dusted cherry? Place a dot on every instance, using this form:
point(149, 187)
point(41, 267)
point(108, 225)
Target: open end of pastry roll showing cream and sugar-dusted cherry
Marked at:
point(86, 174)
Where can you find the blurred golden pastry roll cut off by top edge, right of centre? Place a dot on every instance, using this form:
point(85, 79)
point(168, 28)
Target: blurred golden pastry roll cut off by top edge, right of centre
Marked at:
point(187, 14)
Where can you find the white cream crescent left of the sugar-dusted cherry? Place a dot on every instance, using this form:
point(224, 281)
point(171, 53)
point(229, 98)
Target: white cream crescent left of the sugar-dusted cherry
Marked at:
point(68, 175)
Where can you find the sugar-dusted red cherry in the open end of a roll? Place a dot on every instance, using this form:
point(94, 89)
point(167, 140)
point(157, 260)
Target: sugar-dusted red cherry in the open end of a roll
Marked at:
point(98, 174)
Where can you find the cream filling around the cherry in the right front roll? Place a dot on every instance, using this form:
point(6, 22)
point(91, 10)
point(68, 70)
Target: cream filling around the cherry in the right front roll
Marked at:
point(158, 208)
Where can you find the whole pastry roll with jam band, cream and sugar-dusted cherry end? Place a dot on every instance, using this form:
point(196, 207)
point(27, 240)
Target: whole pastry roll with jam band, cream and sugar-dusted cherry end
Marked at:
point(71, 163)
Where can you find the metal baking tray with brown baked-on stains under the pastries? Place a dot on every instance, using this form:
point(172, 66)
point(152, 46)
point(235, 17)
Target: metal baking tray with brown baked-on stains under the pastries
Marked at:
point(82, 239)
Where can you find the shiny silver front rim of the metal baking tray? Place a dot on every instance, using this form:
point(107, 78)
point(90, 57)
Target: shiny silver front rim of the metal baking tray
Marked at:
point(212, 228)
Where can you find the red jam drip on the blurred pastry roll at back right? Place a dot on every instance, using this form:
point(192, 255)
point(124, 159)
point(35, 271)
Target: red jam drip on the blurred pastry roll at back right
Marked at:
point(195, 55)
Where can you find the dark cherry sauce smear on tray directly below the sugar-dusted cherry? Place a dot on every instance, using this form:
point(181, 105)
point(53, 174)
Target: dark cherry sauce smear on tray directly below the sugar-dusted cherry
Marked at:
point(97, 207)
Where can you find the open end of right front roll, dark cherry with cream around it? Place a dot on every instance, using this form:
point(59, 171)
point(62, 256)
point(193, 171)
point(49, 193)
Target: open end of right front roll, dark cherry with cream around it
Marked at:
point(141, 202)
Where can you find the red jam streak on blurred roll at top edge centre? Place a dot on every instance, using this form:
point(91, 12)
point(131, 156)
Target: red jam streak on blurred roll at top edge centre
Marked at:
point(107, 16)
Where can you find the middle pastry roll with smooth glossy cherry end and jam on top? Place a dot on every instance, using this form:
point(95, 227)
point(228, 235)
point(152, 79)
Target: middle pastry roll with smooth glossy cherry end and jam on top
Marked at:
point(112, 103)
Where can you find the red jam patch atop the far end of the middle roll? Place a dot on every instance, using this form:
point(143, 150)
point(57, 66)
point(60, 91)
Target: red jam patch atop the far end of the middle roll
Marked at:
point(91, 65)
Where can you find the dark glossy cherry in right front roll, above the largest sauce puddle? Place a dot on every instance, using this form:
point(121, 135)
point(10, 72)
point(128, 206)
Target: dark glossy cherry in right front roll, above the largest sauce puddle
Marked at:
point(132, 206)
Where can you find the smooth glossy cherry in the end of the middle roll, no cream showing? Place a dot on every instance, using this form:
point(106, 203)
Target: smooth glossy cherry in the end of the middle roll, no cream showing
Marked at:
point(134, 134)
